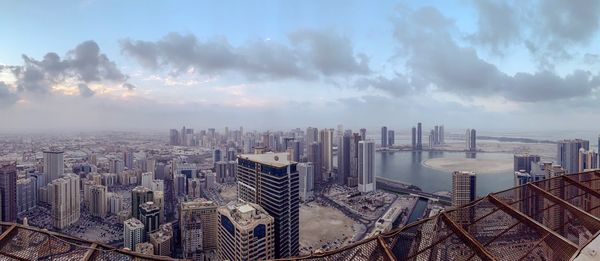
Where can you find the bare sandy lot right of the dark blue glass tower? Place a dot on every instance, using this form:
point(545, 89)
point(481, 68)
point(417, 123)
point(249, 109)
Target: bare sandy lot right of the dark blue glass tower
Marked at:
point(323, 227)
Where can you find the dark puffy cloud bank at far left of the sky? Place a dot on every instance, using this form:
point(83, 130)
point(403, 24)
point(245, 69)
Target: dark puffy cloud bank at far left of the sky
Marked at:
point(84, 64)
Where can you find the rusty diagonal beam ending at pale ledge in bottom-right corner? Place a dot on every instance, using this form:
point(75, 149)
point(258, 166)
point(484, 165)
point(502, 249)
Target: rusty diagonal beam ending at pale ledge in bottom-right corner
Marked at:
point(554, 239)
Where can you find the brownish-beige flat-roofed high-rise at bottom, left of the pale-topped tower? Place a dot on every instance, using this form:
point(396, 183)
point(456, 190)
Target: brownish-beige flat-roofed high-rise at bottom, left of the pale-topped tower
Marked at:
point(198, 227)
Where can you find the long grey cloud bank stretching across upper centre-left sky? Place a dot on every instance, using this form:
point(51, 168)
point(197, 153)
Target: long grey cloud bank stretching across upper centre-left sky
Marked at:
point(312, 53)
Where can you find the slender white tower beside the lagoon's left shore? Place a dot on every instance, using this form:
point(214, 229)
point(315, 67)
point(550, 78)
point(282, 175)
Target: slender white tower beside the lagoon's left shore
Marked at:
point(366, 166)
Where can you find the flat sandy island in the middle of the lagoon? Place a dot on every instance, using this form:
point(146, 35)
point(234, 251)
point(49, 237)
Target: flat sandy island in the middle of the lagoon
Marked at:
point(477, 165)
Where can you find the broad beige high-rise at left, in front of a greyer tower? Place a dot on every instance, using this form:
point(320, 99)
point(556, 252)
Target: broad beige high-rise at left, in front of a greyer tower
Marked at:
point(65, 199)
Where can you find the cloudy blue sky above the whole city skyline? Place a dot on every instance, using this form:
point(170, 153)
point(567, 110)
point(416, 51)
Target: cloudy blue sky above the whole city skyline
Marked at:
point(134, 65)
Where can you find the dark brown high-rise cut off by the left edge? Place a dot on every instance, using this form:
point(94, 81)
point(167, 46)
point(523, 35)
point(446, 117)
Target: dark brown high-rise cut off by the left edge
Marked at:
point(8, 191)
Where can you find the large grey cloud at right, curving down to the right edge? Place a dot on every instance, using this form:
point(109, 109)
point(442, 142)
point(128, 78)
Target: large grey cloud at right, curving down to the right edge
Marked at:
point(435, 59)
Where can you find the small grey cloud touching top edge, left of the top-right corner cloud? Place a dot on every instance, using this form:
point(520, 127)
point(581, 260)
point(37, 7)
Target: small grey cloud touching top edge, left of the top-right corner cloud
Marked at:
point(497, 23)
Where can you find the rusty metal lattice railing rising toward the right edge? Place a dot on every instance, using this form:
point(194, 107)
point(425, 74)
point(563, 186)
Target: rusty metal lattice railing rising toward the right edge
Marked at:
point(551, 219)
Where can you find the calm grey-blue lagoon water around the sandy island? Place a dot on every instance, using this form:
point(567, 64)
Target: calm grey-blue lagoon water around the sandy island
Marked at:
point(406, 166)
